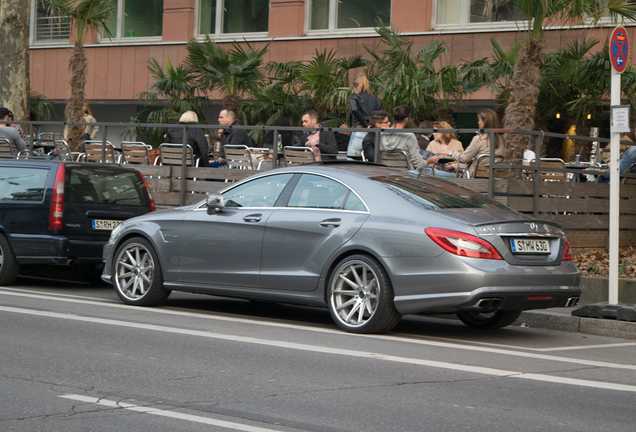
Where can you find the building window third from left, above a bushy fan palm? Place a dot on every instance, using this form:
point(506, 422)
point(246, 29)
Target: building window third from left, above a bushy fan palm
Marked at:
point(233, 16)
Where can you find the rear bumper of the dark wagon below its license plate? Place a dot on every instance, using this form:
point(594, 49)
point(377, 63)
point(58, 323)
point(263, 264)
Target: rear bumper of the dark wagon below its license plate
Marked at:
point(58, 250)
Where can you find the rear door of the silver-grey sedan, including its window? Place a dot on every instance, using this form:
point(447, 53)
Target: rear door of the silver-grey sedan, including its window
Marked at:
point(320, 216)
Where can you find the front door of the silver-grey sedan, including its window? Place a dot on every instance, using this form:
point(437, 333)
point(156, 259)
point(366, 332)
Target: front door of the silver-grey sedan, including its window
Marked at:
point(224, 248)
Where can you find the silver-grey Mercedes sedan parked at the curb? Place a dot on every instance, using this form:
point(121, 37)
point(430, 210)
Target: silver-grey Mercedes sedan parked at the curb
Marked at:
point(367, 242)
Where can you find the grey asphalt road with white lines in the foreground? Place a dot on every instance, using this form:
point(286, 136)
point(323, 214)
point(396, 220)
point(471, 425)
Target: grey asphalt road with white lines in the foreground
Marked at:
point(74, 358)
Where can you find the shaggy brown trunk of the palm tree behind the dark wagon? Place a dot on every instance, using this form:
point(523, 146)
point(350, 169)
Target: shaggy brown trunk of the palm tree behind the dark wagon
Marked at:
point(74, 111)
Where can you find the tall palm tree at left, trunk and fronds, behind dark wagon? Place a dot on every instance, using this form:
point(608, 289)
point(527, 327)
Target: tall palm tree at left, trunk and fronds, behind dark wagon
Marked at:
point(85, 15)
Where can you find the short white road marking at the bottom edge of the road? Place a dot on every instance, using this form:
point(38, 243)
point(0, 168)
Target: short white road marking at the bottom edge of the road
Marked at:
point(166, 413)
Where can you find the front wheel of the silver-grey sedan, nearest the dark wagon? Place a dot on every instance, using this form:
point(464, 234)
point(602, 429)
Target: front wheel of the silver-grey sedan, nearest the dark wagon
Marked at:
point(136, 274)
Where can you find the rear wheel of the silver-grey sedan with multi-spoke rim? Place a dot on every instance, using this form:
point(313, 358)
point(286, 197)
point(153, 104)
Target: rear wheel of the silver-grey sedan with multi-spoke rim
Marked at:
point(360, 296)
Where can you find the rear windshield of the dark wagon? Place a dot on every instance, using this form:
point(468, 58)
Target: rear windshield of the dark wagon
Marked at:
point(104, 186)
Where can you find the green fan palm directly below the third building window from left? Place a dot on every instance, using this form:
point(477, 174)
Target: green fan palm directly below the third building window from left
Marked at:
point(235, 72)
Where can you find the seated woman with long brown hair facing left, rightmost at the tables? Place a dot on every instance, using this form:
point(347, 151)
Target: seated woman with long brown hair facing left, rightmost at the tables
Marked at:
point(480, 144)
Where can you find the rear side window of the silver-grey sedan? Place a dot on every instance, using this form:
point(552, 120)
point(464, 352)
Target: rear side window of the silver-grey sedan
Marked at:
point(313, 191)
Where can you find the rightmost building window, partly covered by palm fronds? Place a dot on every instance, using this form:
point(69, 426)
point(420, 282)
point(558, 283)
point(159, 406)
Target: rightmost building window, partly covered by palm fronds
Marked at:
point(473, 12)
